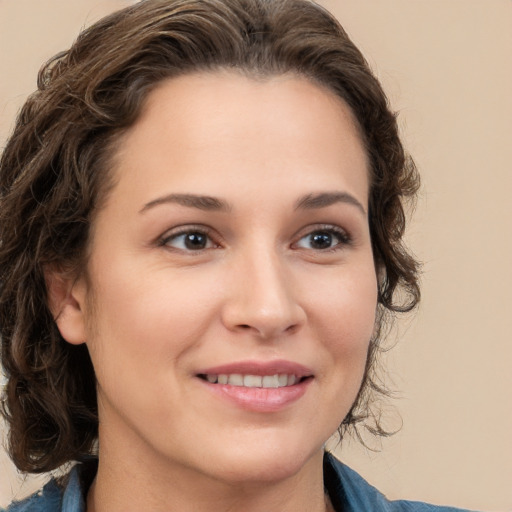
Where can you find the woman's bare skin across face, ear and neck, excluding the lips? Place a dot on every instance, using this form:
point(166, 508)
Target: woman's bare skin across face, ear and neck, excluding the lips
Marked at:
point(153, 312)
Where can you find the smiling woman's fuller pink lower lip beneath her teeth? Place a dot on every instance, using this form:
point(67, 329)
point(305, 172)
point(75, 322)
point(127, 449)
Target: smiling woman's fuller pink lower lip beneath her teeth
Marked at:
point(260, 399)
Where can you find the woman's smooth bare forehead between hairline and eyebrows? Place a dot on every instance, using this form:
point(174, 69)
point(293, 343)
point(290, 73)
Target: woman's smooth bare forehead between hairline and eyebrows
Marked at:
point(199, 128)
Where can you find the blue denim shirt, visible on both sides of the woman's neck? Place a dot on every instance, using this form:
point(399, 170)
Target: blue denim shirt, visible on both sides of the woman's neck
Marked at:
point(347, 490)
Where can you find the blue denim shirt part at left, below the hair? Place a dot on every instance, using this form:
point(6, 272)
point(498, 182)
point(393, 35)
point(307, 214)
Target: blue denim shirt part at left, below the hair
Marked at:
point(55, 496)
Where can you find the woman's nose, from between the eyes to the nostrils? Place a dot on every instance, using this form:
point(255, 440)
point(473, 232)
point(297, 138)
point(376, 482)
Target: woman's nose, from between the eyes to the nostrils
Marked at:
point(262, 297)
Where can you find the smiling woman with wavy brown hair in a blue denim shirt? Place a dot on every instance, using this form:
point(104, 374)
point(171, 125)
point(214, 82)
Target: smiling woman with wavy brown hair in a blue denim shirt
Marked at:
point(201, 237)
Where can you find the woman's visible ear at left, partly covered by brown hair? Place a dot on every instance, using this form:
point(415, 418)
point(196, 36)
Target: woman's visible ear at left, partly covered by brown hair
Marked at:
point(66, 299)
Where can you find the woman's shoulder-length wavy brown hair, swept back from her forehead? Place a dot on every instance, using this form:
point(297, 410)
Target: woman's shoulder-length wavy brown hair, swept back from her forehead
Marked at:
point(54, 175)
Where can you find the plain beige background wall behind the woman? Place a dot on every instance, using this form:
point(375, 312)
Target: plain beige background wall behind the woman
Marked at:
point(446, 65)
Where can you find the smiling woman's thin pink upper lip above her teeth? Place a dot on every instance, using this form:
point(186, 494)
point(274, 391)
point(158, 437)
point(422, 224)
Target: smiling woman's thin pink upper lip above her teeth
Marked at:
point(261, 368)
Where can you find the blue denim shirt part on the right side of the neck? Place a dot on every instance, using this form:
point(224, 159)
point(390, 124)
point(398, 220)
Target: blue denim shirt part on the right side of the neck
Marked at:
point(349, 492)
